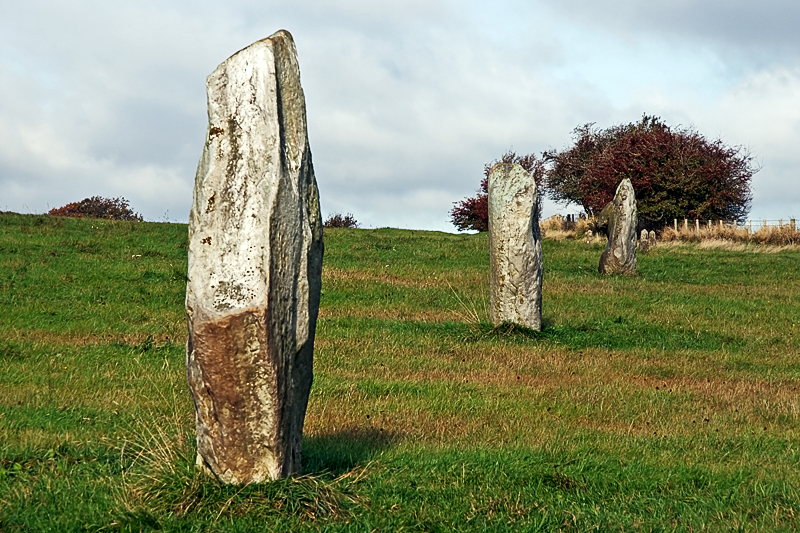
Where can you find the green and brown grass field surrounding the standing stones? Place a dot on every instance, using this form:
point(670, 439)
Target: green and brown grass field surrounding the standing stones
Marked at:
point(665, 401)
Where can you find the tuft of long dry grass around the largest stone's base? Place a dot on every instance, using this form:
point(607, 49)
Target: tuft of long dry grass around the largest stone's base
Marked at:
point(161, 478)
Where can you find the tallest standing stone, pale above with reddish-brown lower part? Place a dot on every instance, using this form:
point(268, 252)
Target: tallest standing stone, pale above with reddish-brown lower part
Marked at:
point(255, 265)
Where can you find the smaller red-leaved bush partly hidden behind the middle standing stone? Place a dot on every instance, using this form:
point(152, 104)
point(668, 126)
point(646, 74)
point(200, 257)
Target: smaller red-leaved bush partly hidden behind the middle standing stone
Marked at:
point(473, 213)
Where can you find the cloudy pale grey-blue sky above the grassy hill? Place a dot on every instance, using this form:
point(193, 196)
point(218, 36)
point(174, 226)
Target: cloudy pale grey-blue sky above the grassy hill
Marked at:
point(406, 100)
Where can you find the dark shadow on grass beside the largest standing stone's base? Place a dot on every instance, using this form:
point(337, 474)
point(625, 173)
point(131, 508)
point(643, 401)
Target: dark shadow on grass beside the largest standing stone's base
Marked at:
point(340, 451)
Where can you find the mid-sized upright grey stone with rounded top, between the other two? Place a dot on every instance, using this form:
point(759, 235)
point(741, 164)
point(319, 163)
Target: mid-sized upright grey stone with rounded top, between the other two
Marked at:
point(515, 247)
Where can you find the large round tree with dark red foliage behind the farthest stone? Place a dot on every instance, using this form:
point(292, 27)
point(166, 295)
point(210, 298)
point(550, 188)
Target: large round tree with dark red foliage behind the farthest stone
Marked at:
point(676, 173)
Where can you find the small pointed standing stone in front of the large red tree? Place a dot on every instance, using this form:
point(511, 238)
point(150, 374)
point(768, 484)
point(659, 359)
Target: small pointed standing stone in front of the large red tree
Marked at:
point(619, 256)
